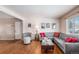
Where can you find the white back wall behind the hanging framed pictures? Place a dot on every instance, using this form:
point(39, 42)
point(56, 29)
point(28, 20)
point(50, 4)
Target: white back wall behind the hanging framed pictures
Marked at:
point(36, 22)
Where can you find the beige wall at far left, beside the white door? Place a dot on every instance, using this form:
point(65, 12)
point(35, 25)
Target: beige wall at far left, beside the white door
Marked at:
point(6, 29)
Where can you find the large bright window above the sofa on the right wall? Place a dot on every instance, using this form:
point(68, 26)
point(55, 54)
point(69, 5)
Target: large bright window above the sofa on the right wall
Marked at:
point(72, 25)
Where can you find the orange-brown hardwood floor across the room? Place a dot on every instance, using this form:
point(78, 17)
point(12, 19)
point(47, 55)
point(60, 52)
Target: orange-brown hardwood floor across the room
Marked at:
point(17, 47)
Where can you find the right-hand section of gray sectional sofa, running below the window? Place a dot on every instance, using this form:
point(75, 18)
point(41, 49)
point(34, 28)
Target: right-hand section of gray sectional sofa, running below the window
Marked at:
point(67, 47)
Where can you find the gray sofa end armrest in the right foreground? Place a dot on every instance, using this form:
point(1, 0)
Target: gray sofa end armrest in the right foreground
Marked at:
point(71, 48)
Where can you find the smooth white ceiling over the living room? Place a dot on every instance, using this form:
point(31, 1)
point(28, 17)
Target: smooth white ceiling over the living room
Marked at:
point(50, 11)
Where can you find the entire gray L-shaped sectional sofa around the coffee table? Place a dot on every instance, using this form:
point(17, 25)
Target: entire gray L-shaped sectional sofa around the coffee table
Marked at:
point(66, 47)
